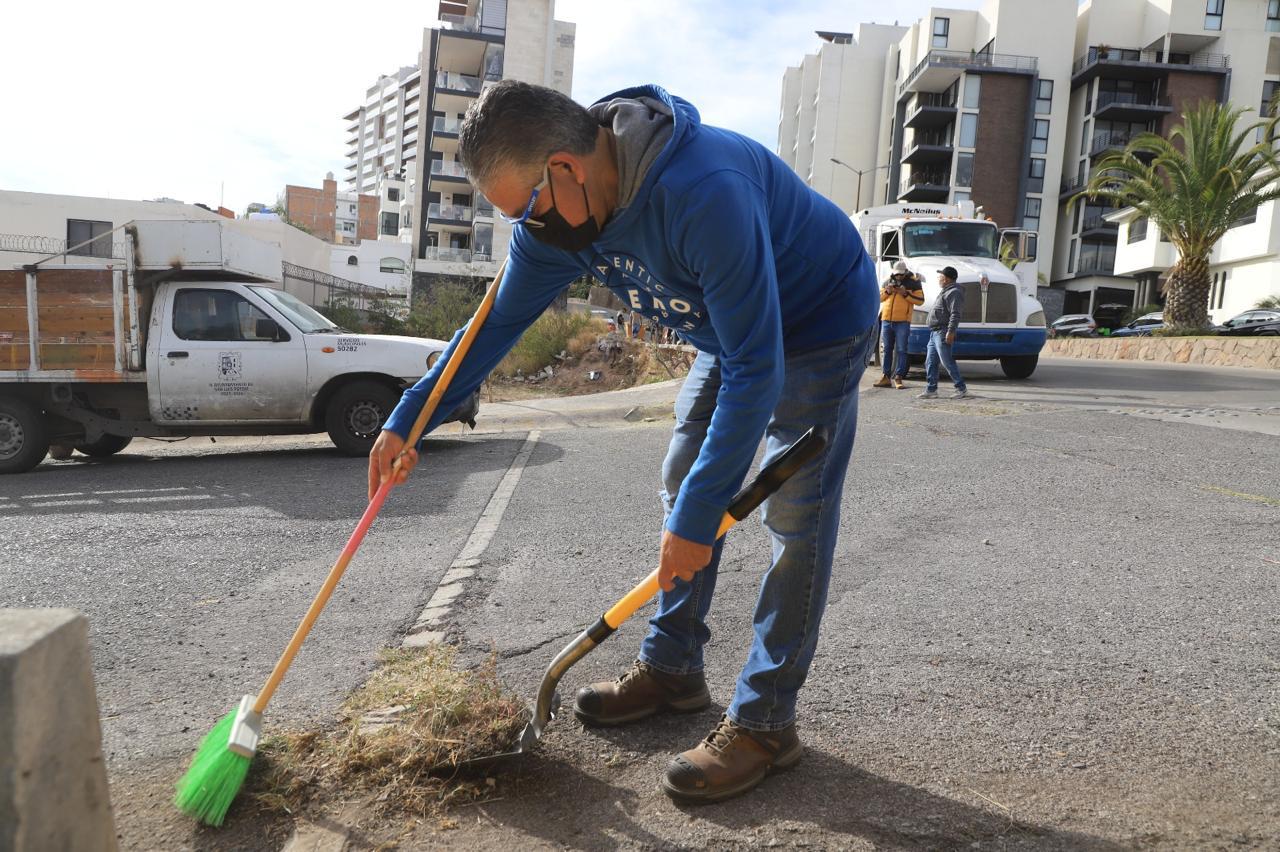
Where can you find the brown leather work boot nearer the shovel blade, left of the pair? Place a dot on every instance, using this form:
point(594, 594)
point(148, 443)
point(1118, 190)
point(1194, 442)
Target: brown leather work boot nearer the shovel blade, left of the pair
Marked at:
point(642, 691)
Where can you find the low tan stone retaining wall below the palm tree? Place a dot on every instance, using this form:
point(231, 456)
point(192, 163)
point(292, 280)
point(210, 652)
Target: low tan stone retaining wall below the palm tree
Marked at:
point(1215, 352)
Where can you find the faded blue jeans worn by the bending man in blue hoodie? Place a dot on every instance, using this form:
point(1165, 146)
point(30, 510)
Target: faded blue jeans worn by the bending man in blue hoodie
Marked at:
point(803, 517)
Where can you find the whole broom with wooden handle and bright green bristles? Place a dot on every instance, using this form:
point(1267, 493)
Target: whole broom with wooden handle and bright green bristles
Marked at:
point(221, 766)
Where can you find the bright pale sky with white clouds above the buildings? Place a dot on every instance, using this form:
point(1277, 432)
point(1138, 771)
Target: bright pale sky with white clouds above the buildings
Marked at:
point(227, 103)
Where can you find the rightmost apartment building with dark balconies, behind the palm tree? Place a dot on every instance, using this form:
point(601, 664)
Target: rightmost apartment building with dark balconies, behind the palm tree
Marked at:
point(1139, 66)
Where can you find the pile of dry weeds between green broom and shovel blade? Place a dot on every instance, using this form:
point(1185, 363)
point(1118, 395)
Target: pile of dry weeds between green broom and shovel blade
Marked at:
point(449, 717)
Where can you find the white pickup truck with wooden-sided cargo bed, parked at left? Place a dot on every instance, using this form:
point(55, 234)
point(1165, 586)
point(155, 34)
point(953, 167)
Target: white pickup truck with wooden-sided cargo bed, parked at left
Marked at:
point(188, 335)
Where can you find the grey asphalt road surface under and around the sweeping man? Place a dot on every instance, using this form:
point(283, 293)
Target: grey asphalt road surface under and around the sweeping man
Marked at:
point(1054, 621)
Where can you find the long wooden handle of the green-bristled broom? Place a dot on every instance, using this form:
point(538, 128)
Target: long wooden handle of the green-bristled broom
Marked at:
point(376, 505)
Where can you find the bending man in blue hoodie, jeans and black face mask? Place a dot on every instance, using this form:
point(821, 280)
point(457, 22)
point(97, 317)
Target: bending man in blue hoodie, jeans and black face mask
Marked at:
point(715, 237)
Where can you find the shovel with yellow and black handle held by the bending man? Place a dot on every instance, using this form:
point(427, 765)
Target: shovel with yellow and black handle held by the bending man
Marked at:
point(547, 706)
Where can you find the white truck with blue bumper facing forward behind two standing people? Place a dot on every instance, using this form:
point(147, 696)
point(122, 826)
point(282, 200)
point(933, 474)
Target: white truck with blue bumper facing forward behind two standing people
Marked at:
point(1003, 320)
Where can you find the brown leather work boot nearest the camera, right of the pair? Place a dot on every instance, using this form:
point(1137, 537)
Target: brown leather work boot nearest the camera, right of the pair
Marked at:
point(729, 763)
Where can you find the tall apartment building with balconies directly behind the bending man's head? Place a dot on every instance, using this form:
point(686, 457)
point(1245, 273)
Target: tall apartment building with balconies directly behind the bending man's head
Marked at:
point(476, 44)
